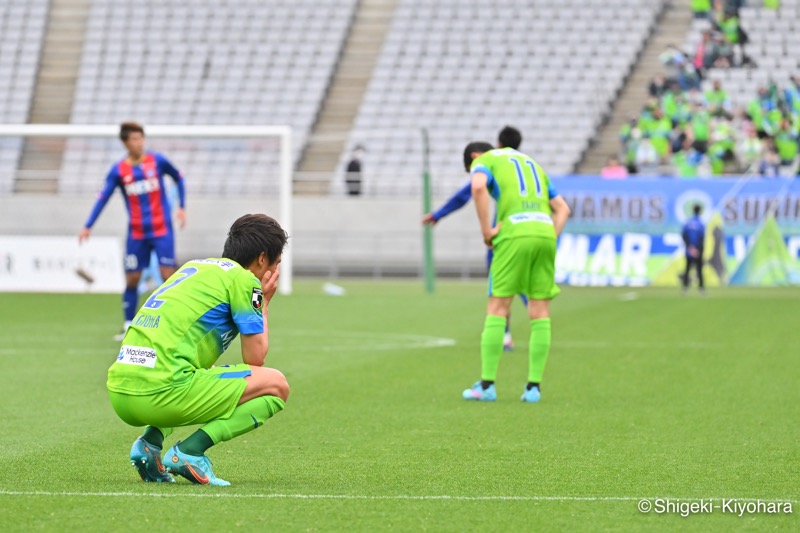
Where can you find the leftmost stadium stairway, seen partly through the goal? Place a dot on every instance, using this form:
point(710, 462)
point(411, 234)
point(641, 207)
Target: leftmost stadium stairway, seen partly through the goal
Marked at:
point(52, 98)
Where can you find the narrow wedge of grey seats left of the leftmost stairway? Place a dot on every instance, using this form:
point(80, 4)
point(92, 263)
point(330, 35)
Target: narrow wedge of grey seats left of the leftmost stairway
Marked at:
point(22, 25)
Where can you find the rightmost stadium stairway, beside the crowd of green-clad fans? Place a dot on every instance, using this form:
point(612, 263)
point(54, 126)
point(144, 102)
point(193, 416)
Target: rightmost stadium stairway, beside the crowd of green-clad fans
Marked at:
point(672, 26)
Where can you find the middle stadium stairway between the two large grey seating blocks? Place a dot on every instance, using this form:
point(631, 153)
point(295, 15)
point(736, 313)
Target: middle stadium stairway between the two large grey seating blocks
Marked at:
point(328, 138)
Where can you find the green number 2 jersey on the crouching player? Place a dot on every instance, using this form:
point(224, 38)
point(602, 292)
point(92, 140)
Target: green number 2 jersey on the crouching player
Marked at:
point(187, 324)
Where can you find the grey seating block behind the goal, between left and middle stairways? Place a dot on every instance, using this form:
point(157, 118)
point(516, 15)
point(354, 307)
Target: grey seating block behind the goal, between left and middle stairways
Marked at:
point(143, 61)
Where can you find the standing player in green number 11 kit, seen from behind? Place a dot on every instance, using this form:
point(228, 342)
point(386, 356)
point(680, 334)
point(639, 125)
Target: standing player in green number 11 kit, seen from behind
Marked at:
point(530, 216)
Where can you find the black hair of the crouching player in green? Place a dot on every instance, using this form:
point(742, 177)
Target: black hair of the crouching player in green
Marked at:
point(252, 234)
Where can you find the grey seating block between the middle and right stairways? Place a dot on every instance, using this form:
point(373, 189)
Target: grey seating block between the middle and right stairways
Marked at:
point(464, 68)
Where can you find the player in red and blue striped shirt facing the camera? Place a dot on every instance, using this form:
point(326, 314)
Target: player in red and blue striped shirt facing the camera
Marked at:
point(140, 177)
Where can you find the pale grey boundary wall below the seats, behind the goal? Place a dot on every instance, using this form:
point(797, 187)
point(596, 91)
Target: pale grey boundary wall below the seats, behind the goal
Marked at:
point(330, 235)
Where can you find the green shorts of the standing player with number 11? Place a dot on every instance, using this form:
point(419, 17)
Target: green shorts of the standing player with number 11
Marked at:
point(524, 265)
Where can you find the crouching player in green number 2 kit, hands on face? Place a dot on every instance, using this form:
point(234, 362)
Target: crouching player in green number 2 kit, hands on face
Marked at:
point(164, 376)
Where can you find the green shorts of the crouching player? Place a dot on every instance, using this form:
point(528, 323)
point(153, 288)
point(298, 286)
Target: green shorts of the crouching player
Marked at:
point(210, 394)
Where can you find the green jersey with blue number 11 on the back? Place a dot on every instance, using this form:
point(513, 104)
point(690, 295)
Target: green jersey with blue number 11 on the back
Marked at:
point(522, 191)
